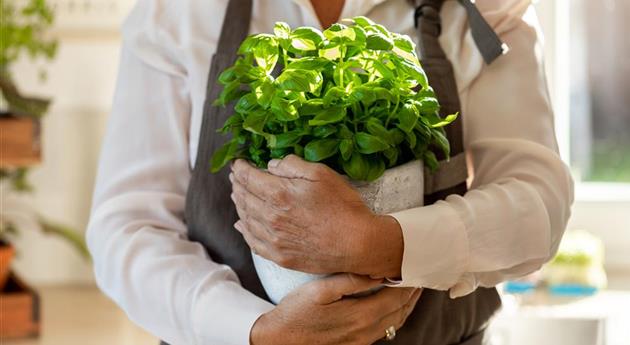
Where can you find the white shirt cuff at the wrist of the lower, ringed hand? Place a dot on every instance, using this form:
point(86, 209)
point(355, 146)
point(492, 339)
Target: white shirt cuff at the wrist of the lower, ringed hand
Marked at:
point(226, 313)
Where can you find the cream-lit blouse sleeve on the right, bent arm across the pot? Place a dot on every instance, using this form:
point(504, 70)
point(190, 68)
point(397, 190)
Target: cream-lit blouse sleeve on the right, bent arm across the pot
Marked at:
point(513, 217)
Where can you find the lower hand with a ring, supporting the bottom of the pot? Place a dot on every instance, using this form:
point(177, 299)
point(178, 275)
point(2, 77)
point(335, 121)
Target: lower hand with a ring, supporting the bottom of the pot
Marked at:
point(318, 313)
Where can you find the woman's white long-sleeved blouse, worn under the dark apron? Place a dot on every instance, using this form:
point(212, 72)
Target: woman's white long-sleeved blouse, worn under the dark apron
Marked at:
point(507, 225)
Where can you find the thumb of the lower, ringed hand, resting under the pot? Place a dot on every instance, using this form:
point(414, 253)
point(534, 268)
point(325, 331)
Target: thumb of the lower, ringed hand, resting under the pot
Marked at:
point(335, 287)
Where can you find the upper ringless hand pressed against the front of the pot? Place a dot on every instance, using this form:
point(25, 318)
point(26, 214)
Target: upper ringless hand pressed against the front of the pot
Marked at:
point(304, 216)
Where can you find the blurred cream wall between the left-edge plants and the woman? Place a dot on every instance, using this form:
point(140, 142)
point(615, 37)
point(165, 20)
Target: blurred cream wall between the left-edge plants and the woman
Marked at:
point(81, 82)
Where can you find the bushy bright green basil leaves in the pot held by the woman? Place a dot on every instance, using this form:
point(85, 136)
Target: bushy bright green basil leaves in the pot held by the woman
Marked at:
point(354, 97)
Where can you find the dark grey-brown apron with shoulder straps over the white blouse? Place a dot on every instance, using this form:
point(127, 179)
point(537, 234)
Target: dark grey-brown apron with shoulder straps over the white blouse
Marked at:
point(210, 214)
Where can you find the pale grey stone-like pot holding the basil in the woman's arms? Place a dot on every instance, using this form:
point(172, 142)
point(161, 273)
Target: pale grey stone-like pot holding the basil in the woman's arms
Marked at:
point(399, 188)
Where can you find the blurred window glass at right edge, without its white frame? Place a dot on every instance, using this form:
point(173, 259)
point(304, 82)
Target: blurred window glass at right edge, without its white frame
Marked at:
point(599, 103)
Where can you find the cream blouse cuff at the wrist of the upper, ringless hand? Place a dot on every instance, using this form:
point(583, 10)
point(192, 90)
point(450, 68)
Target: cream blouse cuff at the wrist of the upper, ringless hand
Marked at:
point(435, 247)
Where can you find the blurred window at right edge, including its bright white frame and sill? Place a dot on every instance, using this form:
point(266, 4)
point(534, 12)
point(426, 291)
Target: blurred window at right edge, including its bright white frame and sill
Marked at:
point(588, 61)
